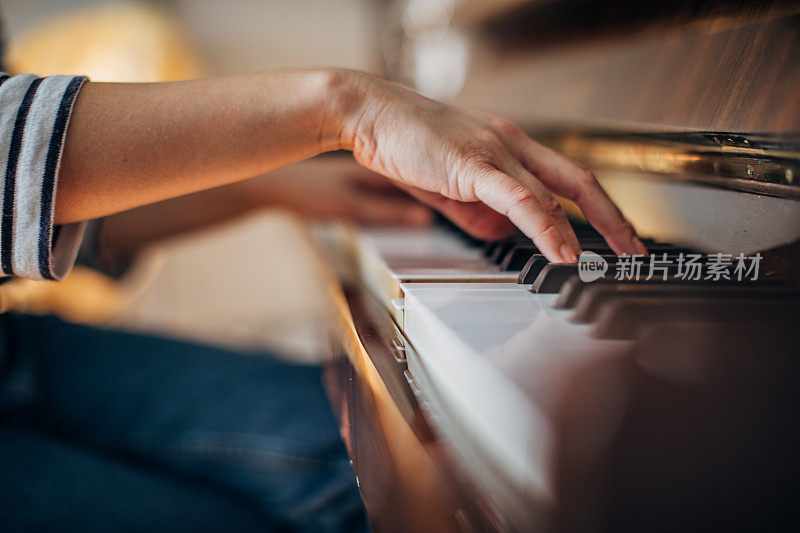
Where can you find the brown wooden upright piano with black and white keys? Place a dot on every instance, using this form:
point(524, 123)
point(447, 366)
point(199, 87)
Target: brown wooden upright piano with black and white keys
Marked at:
point(480, 387)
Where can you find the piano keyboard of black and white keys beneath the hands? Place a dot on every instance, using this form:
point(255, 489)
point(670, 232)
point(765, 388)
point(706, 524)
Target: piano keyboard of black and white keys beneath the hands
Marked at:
point(528, 372)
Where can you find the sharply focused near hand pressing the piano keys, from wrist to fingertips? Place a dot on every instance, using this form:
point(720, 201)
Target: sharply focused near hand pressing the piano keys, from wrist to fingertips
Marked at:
point(447, 156)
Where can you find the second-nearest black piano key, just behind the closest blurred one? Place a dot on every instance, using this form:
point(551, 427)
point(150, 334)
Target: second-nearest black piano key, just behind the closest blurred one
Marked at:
point(593, 298)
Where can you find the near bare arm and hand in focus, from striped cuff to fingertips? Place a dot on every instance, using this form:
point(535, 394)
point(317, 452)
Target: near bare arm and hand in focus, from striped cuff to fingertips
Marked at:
point(129, 145)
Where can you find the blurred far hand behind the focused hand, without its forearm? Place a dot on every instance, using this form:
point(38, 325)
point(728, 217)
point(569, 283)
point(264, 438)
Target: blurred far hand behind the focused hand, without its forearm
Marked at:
point(337, 188)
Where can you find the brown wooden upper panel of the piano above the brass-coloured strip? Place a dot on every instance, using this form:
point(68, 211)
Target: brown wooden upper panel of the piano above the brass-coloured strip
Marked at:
point(731, 72)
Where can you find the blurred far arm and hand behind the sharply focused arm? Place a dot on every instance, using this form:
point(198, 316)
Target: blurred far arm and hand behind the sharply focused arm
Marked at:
point(324, 188)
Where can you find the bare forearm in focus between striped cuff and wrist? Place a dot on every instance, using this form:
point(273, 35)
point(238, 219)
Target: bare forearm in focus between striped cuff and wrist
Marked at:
point(134, 144)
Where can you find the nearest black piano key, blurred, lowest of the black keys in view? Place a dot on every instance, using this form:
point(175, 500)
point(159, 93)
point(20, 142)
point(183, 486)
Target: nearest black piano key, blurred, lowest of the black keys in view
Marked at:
point(624, 318)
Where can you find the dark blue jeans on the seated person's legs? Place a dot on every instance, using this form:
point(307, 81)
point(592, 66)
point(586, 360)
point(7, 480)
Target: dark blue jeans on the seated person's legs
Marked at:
point(103, 430)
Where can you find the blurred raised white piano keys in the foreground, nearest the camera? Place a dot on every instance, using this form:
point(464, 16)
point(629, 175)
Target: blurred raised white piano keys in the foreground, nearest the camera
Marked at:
point(498, 356)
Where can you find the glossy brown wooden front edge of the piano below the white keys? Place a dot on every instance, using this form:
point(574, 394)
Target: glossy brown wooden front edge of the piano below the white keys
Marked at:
point(406, 479)
